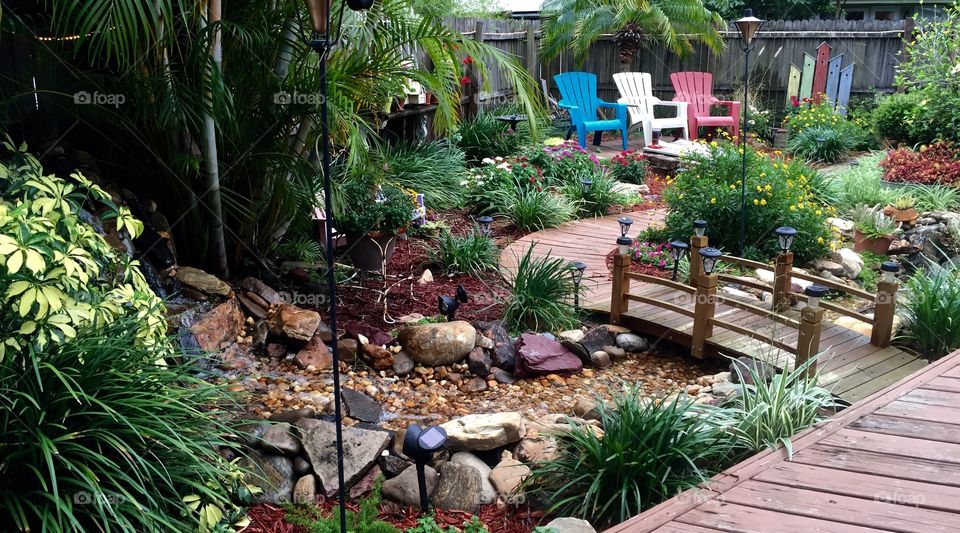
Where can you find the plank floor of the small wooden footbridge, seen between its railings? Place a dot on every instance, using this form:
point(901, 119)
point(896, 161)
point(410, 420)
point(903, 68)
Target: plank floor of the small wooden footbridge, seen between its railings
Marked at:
point(849, 365)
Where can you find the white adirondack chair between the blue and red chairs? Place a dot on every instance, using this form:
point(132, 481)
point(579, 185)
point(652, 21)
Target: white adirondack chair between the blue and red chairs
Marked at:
point(636, 90)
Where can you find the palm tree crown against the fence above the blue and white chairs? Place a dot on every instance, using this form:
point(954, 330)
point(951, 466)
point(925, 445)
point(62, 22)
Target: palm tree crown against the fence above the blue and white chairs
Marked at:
point(577, 24)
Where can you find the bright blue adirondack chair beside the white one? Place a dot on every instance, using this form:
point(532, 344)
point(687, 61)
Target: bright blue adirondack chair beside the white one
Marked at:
point(578, 95)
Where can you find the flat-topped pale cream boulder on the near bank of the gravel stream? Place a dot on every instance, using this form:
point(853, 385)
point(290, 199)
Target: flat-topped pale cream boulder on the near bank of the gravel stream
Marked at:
point(484, 431)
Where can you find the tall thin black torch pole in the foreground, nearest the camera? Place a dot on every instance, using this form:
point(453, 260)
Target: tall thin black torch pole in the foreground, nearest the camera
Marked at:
point(322, 46)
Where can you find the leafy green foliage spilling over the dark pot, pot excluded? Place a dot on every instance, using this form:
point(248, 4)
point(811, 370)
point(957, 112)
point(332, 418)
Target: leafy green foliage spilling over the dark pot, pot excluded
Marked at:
point(385, 208)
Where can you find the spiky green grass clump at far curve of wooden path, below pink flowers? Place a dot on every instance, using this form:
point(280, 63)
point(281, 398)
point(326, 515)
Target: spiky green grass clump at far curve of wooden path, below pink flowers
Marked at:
point(533, 209)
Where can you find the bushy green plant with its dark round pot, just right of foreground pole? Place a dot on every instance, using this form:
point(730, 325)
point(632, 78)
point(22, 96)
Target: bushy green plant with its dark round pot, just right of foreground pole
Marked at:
point(373, 217)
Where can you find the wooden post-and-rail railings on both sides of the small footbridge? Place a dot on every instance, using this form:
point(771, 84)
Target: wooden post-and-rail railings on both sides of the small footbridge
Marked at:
point(702, 289)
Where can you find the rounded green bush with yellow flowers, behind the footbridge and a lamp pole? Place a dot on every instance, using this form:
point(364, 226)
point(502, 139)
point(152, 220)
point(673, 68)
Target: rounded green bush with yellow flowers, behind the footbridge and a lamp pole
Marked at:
point(778, 194)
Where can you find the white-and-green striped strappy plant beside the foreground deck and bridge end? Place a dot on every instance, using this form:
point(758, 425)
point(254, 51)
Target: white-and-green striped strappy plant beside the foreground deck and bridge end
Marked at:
point(765, 415)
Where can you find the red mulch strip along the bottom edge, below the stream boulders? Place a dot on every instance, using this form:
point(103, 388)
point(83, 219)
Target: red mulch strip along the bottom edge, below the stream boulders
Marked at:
point(266, 518)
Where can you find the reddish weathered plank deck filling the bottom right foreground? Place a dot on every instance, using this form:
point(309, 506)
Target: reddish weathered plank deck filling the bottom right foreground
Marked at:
point(889, 463)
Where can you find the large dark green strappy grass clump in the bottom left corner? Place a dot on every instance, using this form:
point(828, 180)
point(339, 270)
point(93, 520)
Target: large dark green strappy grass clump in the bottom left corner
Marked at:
point(107, 439)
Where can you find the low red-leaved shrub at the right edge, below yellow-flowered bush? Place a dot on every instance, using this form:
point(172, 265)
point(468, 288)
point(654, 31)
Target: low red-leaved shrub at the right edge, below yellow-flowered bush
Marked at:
point(936, 163)
